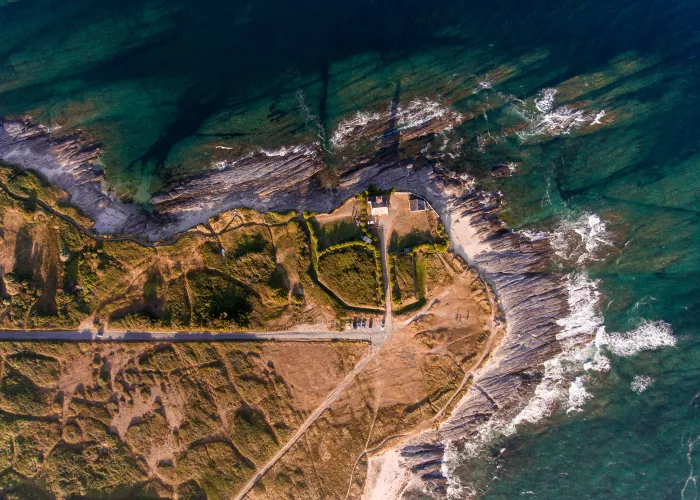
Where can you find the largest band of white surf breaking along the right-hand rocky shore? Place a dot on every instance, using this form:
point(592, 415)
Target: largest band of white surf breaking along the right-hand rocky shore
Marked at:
point(583, 340)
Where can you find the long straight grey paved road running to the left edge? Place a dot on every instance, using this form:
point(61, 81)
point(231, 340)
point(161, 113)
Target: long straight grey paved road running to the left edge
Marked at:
point(86, 336)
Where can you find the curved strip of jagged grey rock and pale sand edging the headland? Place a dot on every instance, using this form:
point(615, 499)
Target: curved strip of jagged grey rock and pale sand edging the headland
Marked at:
point(532, 299)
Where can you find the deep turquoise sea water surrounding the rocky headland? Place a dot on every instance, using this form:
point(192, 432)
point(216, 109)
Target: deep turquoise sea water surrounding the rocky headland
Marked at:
point(161, 84)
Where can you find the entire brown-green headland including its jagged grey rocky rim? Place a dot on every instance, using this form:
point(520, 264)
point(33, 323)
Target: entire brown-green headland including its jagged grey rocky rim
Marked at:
point(459, 311)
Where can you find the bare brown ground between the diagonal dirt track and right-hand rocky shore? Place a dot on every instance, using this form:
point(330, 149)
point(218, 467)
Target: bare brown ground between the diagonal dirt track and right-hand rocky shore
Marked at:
point(407, 383)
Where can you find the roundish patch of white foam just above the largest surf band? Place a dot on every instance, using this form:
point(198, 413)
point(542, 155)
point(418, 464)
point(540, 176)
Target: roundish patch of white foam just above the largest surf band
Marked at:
point(580, 239)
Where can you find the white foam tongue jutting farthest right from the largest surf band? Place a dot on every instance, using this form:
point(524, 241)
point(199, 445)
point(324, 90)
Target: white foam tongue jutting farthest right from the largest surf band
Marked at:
point(650, 335)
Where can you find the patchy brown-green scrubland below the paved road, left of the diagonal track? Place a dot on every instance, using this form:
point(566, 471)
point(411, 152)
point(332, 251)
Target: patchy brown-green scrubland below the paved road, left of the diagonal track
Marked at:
point(161, 420)
